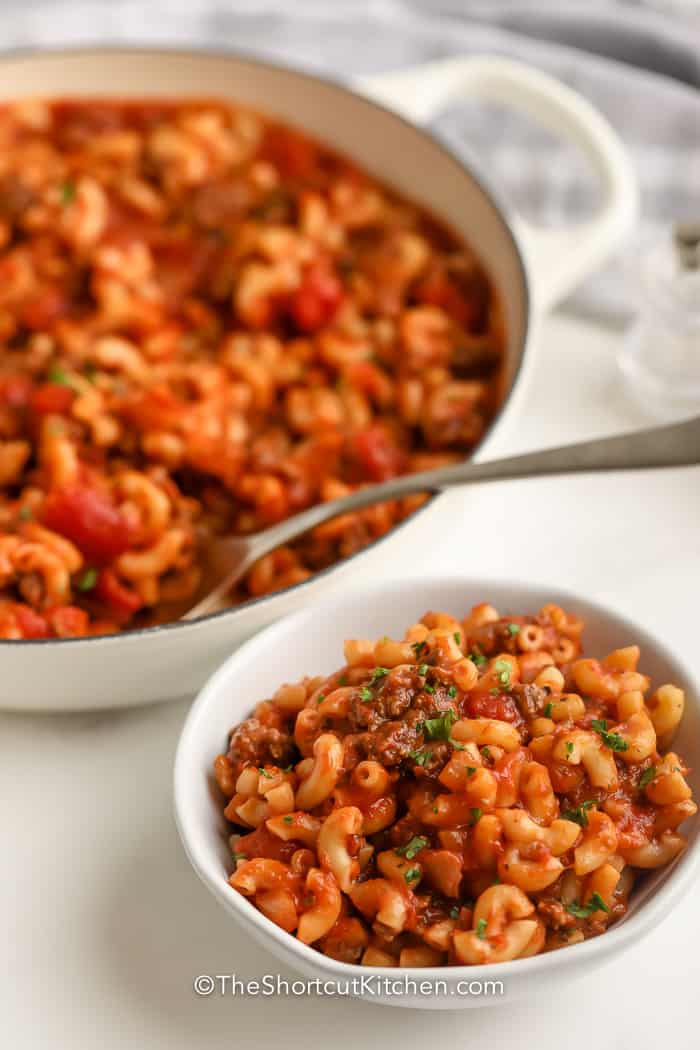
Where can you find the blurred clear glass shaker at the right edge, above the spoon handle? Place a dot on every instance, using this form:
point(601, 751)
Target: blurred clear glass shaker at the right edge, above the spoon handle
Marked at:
point(661, 355)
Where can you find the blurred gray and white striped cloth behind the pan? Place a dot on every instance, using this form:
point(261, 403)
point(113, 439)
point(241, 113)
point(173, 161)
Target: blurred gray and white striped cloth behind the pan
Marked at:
point(640, 65)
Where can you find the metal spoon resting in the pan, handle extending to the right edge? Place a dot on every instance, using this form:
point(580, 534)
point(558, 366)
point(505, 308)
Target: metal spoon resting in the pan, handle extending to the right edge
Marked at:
point(674, 446)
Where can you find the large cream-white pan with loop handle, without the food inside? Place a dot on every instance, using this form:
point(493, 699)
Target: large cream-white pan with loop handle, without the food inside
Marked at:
point(534, 269)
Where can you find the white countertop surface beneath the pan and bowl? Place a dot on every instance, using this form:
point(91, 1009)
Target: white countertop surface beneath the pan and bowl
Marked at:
point(105, 927)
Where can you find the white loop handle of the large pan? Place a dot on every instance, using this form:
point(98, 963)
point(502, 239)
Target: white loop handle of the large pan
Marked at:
point(558, 260)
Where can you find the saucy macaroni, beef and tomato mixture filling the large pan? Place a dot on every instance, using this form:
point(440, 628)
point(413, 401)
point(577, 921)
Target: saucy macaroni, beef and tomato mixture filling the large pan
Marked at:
point(208, 323)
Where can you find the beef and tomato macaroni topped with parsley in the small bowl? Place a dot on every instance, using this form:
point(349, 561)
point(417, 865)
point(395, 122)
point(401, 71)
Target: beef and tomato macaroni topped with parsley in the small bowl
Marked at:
point(406, 812)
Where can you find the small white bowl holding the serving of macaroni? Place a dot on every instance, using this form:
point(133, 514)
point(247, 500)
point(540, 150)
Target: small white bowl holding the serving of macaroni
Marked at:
point(311, 643)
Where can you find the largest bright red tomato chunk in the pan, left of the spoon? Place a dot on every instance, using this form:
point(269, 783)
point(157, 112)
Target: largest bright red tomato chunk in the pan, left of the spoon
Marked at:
point(87, 517)
